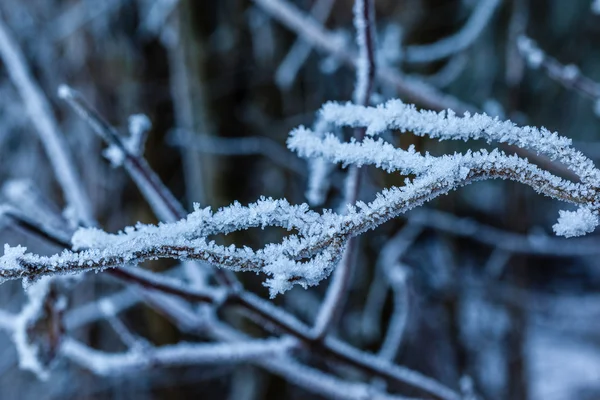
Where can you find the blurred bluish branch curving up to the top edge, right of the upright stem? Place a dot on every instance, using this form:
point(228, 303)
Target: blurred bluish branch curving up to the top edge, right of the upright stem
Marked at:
point(460, 41)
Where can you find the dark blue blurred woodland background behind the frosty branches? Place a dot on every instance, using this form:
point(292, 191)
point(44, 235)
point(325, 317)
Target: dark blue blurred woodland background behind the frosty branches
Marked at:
point(490, 298)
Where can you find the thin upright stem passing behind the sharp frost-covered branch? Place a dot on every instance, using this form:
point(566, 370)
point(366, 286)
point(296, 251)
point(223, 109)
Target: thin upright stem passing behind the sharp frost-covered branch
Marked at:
point(335, 298)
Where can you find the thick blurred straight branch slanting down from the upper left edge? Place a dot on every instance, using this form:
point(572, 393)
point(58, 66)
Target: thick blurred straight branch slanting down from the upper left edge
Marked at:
point(41, 116)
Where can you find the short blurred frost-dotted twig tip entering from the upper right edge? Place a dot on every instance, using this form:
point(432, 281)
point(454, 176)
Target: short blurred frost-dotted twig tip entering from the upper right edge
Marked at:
point(567, 75)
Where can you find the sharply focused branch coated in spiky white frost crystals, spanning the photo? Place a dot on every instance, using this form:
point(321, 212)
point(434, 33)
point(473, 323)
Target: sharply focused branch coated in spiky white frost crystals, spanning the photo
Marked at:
point(309, 255)
